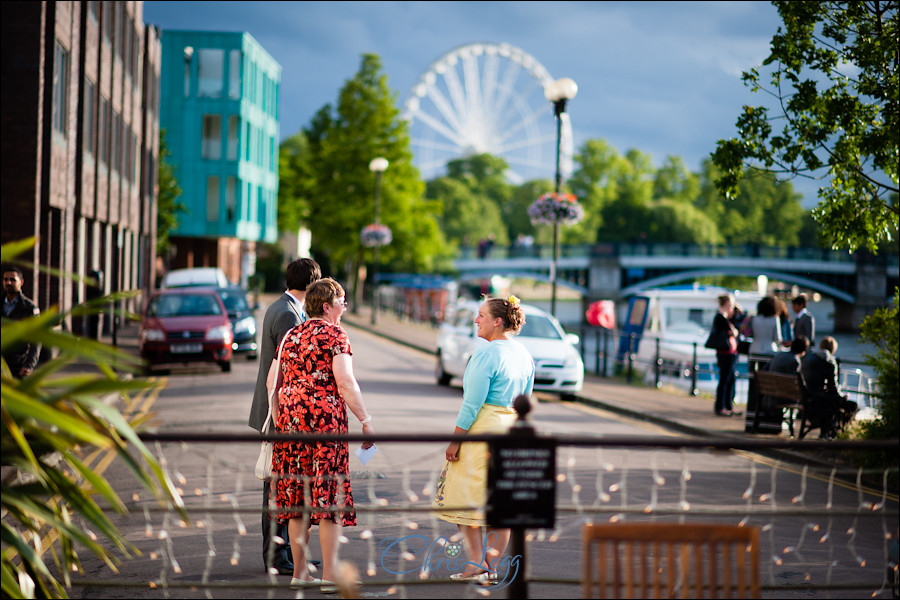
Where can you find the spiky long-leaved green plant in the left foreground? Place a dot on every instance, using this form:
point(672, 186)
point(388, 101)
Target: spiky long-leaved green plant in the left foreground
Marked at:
point(49, 418)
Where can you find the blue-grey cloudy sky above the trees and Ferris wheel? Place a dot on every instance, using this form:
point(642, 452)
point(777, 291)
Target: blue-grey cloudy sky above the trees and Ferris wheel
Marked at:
point(660, 77)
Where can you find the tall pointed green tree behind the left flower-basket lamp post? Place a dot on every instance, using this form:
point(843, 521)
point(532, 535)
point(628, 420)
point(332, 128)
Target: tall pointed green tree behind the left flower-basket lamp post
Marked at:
point(342, 141)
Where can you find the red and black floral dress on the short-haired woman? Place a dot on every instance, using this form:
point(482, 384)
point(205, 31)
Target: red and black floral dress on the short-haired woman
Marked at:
point(316, 474)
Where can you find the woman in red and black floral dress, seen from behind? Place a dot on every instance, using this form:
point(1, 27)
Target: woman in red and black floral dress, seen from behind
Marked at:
point(318, 385)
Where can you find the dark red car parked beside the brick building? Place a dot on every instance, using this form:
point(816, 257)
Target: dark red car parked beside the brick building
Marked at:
point(186, 325)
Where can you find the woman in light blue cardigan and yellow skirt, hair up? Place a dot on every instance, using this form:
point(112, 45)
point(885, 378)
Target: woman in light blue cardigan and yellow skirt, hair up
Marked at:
point(496, 374)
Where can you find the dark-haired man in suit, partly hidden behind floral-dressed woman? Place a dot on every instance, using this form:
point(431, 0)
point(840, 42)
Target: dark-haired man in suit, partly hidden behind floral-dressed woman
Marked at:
point(286, 312)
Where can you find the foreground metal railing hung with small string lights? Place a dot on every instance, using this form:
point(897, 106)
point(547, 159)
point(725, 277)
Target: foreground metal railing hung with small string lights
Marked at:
point(824, 528)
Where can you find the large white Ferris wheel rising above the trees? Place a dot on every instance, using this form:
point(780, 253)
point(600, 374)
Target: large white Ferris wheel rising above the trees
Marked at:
point(487, 98)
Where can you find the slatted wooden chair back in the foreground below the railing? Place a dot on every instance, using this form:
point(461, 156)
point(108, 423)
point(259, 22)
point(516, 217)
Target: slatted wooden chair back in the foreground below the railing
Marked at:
point(666, 560)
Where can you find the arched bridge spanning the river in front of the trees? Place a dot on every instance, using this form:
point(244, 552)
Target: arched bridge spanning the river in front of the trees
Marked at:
point(857, 282)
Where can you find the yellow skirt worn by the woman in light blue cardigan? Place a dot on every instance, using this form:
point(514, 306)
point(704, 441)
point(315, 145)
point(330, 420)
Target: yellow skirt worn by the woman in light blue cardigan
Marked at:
point(463, 483)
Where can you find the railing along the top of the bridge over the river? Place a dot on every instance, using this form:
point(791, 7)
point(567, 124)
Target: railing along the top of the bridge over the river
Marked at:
point(653, 249)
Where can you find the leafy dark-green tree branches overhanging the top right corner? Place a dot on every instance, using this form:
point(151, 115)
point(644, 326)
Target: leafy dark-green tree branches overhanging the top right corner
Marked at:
point(832, 73)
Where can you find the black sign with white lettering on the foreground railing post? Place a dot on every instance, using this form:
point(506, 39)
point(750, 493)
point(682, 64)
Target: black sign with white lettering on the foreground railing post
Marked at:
point(521, 488)
